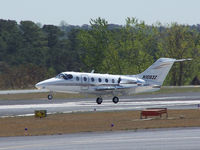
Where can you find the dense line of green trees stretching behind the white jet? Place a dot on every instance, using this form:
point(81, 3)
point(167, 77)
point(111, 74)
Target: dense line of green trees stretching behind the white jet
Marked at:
point(30, 52)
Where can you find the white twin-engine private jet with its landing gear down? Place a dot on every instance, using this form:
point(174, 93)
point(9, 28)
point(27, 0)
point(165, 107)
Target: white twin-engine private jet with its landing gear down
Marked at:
point(103, 84)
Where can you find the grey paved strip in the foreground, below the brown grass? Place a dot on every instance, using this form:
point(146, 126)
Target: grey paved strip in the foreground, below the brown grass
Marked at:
point(157, 139)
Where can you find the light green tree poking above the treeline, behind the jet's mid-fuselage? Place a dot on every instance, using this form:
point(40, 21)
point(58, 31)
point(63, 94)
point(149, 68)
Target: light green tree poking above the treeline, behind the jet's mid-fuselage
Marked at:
point(94, 43)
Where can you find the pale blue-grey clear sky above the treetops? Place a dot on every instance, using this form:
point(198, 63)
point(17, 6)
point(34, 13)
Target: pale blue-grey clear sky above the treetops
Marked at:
point(79, 12)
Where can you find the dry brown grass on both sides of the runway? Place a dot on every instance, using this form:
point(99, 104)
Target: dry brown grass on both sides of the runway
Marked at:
point(96, 121)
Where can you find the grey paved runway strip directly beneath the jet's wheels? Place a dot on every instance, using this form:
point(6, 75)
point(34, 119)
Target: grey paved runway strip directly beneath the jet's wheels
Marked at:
point(137, 102)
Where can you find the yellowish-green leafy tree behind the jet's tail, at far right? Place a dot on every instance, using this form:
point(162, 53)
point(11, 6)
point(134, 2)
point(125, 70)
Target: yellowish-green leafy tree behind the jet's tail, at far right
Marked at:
point(178, 42)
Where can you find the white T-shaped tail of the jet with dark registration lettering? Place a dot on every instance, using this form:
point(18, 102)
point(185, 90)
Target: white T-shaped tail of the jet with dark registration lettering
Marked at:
point(158, 71)
